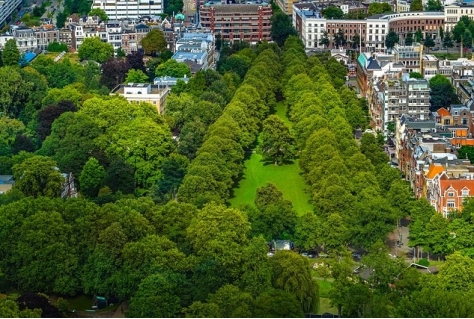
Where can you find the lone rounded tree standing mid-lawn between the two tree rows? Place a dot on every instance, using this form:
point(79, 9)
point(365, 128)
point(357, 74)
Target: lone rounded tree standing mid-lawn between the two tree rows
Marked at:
point(277, 142)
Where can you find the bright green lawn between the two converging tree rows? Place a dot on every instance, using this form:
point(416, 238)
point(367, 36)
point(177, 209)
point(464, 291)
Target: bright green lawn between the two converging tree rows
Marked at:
point(286, 177)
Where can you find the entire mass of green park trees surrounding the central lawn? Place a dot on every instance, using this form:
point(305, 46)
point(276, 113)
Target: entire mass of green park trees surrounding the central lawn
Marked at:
point(153, 223)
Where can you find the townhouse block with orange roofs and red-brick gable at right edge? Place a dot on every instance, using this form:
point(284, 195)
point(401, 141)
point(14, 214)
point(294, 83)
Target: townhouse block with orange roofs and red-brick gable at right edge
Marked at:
point(427, 156)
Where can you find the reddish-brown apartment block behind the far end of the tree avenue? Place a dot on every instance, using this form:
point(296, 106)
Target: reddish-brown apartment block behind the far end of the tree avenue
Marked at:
point(249, 21)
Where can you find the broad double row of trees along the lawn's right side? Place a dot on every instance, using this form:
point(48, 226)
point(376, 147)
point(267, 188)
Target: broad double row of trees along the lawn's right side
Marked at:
point(346, 192)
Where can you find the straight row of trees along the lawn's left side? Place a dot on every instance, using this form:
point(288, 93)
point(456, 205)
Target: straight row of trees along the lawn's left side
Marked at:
point(219, 160)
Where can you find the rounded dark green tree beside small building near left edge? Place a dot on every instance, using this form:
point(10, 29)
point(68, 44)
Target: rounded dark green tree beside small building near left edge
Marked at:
point(38, 176)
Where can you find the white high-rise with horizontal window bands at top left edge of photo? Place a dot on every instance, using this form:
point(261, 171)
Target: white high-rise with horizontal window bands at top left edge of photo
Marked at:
point(129, 9)
